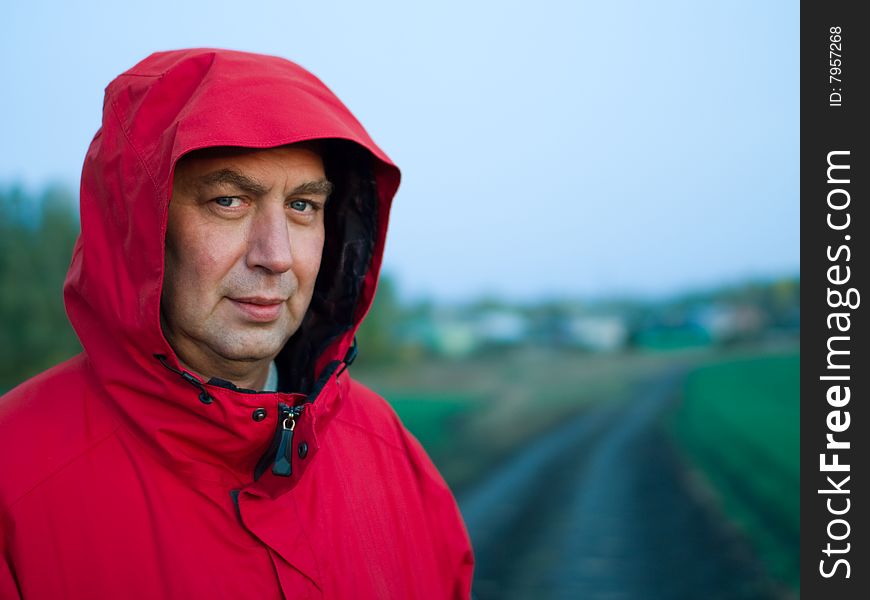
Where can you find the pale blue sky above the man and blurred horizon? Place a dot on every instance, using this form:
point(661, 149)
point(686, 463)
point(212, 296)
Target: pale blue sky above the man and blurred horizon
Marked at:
point(572, 148)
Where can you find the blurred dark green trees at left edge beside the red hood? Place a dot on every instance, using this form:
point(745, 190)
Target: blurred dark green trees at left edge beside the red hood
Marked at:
point(37, 233)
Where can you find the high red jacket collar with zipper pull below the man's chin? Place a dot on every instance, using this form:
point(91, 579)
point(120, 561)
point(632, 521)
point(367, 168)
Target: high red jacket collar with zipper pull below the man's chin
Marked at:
point(215, 434)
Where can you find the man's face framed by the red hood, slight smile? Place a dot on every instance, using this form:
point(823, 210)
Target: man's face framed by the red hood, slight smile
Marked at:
point(243, 248)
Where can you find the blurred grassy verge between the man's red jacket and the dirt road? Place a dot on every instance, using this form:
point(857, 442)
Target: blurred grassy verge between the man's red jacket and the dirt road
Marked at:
point(474, 413)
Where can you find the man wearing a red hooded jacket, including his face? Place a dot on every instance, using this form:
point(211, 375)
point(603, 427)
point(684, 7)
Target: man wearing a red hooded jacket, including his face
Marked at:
point(209, 442)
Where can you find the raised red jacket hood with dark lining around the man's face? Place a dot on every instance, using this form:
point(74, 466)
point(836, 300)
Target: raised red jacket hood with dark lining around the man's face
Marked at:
point(168, 105)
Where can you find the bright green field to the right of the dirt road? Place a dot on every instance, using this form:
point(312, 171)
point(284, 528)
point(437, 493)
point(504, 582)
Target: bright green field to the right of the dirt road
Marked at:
point(739, 425)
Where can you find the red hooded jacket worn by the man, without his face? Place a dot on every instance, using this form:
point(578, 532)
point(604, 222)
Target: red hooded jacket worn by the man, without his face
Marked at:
point(124, 477)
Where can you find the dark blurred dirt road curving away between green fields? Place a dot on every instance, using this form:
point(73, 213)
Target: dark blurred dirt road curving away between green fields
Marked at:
point(601, 509)
